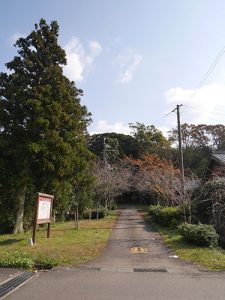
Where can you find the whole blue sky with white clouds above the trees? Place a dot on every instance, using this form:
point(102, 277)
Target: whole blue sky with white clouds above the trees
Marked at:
point(135, 60)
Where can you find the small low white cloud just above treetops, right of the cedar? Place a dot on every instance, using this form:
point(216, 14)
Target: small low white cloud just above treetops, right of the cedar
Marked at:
point(103, 126)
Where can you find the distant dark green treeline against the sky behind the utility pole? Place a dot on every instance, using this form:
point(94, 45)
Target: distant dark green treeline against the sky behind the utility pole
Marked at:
point(198, 141)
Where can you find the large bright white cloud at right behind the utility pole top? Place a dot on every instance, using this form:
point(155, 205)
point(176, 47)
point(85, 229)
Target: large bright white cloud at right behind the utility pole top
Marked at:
point(203, 105)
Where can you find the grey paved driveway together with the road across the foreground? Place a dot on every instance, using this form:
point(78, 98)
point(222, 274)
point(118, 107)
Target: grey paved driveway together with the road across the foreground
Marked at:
point(119, 274)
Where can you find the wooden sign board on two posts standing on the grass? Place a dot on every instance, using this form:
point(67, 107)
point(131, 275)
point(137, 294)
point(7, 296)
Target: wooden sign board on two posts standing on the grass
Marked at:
point(43, 213)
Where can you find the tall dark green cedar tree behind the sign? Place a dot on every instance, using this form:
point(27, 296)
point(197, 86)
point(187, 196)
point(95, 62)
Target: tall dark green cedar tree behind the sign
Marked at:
point(42, 124)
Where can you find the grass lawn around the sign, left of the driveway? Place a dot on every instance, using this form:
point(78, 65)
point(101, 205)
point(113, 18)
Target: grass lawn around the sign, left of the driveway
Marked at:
point(66, 246)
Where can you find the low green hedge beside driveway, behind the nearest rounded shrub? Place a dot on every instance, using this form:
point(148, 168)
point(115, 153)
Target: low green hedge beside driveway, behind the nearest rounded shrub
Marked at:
point(166, 216)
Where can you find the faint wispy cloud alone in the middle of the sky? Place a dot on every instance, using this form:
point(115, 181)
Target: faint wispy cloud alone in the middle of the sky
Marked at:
point(128, 62)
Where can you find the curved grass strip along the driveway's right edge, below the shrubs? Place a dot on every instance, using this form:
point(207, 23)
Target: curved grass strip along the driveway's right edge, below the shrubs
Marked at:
point(209, 258)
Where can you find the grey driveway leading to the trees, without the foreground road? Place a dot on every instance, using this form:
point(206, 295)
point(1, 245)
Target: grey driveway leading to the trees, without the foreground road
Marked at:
point(132, 231)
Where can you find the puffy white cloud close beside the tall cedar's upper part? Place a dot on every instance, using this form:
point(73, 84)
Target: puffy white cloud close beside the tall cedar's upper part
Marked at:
point(80, 60)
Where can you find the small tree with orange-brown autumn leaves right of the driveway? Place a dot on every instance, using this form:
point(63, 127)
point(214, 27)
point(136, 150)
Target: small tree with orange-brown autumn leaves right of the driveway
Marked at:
point(160, 177)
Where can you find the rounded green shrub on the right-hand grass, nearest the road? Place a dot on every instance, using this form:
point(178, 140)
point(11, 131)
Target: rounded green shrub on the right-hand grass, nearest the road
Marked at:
point(199, 234)
